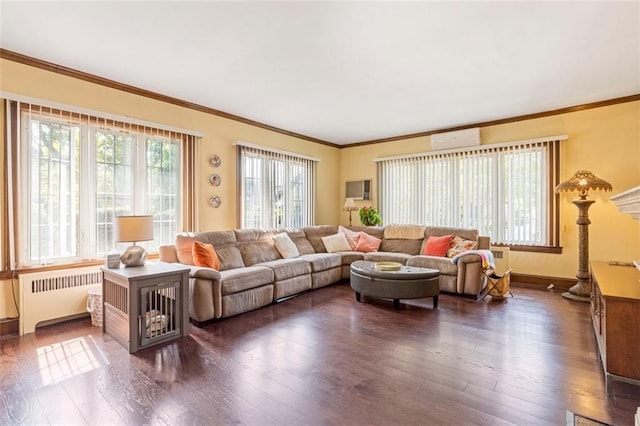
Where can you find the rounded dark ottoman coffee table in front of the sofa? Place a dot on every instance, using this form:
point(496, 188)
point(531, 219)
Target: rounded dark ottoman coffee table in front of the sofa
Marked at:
point(408, 282)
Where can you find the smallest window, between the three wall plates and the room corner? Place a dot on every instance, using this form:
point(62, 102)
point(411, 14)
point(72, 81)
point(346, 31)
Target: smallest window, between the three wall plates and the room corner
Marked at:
point(277, 189)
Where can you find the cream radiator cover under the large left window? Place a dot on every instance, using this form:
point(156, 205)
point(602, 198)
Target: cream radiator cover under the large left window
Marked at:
point(55, 295)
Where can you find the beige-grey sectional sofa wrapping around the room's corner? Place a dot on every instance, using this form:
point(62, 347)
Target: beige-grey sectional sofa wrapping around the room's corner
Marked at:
point(253, 273)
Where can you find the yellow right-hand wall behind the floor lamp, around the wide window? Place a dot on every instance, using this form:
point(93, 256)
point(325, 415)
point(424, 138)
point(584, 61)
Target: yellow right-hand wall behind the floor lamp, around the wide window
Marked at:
point(604, 140)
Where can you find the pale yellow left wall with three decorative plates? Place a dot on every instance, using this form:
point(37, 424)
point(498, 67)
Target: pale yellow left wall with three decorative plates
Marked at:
point(220, 135)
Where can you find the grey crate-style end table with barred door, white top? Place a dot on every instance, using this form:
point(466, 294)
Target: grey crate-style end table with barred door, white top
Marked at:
point(146, 305)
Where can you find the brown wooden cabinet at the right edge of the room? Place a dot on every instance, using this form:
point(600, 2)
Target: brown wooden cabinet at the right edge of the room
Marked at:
point(615, 311)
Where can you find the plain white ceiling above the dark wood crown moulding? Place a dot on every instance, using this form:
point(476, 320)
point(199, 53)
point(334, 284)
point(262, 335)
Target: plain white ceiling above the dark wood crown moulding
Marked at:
point(346, 72)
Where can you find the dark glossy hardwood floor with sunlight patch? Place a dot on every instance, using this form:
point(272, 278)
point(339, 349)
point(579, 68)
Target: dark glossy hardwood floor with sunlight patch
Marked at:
point(323, 358)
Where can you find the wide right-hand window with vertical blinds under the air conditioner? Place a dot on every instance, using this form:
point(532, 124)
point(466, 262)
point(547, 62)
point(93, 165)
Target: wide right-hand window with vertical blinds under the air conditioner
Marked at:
point(505, 191)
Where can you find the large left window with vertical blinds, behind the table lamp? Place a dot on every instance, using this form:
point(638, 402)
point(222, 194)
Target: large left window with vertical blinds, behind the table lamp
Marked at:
point(78, 172)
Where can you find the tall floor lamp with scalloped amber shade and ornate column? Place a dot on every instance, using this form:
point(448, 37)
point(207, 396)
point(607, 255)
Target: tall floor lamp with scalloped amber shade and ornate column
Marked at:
point(582, 181)
